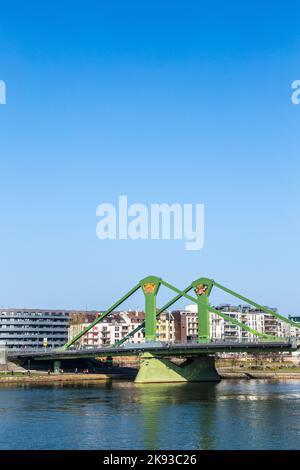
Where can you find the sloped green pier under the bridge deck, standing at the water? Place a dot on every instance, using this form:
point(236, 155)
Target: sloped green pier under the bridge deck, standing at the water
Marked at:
point(161, 370)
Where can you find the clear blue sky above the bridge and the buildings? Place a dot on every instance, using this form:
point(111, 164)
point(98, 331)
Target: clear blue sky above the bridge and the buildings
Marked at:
point(165, 101)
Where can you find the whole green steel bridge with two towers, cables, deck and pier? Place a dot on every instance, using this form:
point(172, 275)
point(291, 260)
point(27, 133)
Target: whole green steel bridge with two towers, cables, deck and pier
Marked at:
point(156, 363)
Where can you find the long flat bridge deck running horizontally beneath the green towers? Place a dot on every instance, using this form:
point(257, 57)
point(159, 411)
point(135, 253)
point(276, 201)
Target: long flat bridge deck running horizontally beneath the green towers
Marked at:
point(178, 350)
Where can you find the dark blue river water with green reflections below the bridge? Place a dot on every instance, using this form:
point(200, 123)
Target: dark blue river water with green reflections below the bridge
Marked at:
point(121, 415)
